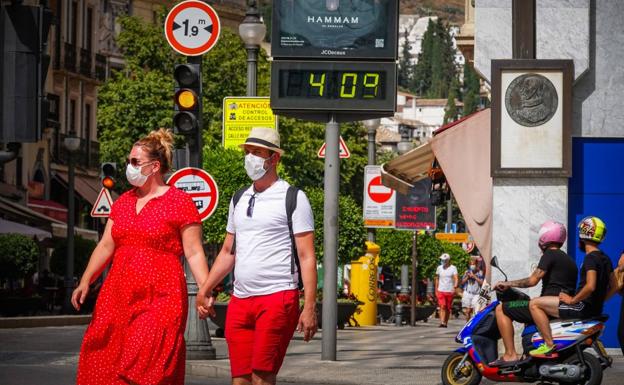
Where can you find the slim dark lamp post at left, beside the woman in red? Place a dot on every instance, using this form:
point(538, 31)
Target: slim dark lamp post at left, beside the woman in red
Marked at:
point(72, 144)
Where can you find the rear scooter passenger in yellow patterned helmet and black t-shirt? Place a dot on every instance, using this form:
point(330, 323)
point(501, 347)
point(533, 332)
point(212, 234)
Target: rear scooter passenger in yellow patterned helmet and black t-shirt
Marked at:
point(596, 279)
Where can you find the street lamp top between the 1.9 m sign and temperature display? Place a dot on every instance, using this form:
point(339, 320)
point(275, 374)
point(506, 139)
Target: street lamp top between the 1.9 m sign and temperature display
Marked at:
point(252, 30)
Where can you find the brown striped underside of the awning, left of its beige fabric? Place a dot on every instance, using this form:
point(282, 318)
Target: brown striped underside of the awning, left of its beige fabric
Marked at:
point(403, 171)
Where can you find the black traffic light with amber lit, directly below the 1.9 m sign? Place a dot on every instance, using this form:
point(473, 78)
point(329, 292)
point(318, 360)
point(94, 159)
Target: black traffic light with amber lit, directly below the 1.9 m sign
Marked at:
point(187, 98)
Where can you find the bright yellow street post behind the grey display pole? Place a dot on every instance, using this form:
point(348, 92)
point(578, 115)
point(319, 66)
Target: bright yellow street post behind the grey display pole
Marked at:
point(364, 285)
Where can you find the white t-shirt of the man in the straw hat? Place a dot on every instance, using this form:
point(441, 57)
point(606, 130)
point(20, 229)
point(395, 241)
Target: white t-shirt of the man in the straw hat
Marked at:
point(263, 246)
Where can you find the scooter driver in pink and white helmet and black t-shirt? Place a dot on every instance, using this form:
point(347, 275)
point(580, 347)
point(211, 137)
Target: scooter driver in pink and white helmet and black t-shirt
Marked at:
point(555, 269)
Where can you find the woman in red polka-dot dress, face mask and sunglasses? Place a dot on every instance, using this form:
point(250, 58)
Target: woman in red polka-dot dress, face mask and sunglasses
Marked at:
point(136, 335)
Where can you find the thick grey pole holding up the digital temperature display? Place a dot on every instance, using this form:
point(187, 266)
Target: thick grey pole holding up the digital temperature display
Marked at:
point(330, 224)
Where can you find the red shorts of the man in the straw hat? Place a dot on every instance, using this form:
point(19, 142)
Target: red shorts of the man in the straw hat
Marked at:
point(258, 330)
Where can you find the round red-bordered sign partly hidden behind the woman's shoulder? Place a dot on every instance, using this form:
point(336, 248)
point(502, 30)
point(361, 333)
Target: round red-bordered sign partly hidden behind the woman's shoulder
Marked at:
point(201, 186)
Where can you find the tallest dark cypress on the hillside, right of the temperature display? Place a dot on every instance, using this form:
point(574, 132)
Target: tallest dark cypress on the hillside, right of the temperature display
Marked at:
point(435, 70)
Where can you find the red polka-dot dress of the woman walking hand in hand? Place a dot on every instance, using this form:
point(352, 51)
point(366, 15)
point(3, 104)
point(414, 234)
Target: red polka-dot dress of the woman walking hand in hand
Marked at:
point(136, 335)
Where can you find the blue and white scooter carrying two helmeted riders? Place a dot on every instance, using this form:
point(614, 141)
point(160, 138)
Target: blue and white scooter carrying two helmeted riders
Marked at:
point(581, 356)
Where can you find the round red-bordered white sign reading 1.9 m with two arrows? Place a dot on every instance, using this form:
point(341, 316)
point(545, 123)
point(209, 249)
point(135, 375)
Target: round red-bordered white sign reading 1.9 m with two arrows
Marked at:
point(192, 28)
